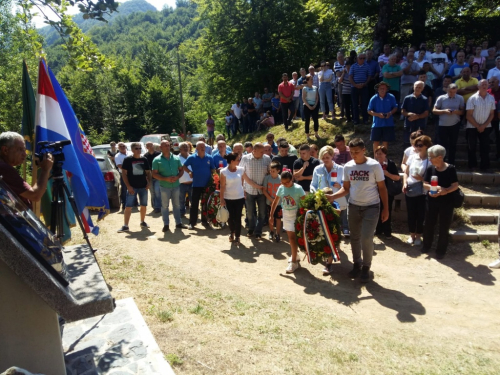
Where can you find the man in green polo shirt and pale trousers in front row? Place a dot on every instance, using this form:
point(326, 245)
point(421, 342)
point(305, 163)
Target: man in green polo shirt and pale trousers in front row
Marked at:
point(167, 168)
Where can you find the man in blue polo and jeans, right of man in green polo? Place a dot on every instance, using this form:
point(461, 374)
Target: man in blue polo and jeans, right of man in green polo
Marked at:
point(203, 167)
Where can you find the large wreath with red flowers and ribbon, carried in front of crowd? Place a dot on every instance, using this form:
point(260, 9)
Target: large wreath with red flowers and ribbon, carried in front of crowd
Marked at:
point(318, 228)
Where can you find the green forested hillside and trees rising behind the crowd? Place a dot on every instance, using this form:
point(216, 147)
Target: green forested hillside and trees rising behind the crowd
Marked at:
point(122, 77)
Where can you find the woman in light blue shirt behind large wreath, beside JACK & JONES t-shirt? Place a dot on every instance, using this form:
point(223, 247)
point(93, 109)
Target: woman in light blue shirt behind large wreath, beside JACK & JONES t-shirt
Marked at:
point(330, 175)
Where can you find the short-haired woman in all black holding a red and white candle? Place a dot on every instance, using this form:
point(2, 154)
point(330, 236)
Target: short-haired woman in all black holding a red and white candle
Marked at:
point(439, 203)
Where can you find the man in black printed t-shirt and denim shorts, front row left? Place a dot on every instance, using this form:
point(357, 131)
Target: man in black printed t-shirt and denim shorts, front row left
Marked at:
point(136, 173)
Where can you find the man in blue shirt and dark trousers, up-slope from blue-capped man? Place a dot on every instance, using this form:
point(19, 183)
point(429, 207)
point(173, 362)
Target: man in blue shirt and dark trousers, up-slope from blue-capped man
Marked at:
point(359, 76)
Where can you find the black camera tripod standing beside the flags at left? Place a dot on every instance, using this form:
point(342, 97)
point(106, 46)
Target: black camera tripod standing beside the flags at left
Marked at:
point(58, 205)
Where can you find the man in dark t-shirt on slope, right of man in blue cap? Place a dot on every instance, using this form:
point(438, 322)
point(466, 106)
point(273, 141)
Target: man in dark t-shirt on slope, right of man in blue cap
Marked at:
point(415, 111)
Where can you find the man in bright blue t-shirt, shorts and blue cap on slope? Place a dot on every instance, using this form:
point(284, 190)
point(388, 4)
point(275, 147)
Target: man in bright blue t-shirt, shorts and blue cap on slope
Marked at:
point(382, 107)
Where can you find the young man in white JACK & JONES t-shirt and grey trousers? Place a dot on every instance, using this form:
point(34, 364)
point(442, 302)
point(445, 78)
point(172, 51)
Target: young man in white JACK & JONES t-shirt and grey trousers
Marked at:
point(364, 180)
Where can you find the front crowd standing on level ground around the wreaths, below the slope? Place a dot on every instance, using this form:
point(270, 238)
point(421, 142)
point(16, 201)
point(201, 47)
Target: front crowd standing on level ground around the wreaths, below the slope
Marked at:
point(268, 181)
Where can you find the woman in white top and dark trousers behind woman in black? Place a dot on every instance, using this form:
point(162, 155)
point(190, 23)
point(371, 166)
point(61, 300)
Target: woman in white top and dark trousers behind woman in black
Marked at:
point(413, 188)
